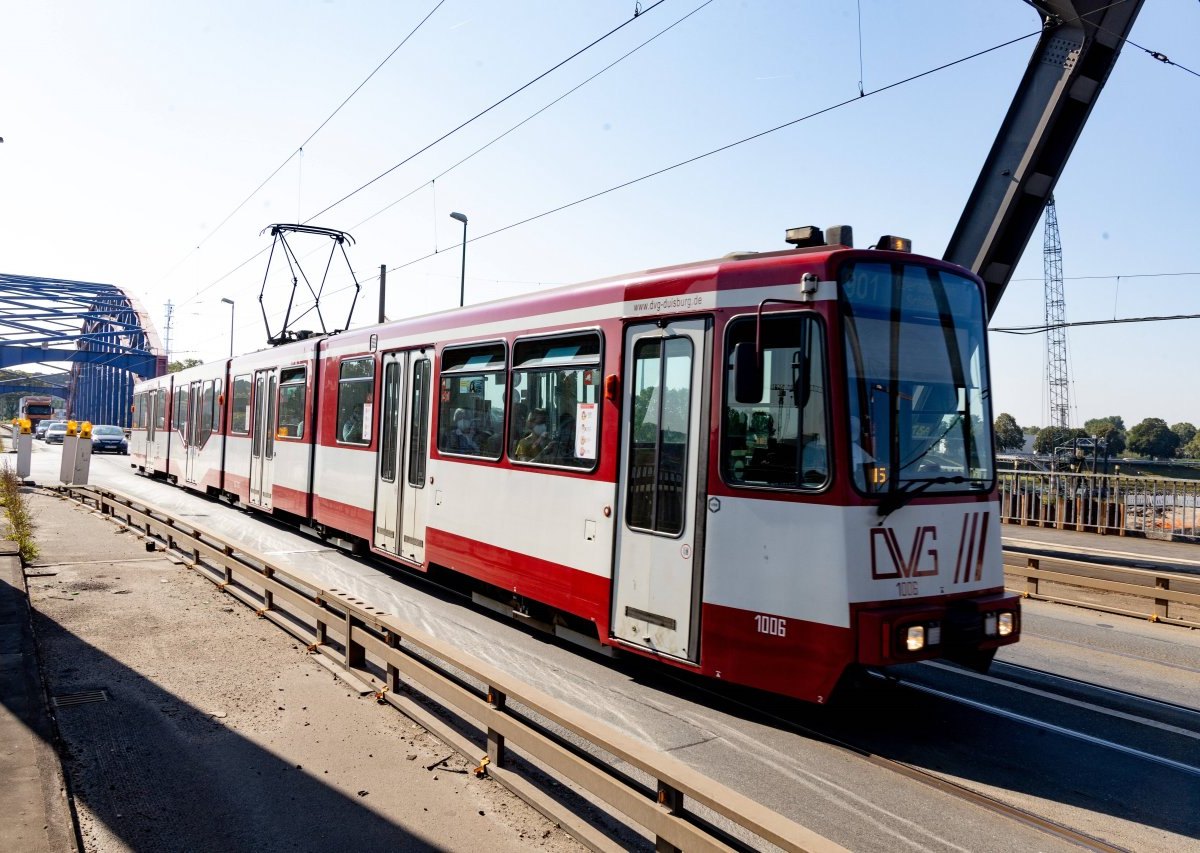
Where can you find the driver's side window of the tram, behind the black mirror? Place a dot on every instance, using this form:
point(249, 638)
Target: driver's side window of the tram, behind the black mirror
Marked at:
point(781, 442)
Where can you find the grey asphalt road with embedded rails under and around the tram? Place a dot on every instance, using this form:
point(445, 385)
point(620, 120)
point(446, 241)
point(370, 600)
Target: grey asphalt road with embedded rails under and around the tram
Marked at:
point(1065, 754)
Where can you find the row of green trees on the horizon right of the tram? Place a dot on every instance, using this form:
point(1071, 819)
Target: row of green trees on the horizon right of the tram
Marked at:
point(1153, 437)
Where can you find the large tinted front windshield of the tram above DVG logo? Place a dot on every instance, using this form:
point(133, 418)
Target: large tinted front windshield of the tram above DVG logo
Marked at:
point(917, 373)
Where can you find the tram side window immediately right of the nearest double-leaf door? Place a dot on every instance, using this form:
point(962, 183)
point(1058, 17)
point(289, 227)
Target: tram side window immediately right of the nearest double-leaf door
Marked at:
point(471, 415)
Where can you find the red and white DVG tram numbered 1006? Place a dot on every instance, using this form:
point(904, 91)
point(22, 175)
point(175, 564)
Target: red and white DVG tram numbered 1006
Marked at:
point(767, 468)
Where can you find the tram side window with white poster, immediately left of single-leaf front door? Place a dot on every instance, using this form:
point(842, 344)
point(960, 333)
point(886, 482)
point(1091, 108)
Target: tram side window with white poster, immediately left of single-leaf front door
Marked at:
point(554, 418)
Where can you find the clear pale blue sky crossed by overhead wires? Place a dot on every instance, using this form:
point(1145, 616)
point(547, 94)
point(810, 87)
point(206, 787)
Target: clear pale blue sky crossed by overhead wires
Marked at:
point(134, 129)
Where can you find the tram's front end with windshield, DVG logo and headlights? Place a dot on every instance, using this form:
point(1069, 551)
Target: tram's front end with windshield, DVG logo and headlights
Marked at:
point(926, 568)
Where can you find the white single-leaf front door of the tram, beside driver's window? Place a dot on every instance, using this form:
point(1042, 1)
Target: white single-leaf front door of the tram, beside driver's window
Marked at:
point(657, 579)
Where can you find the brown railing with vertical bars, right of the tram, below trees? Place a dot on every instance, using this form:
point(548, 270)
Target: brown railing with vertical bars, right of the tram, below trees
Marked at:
point(1102, 503)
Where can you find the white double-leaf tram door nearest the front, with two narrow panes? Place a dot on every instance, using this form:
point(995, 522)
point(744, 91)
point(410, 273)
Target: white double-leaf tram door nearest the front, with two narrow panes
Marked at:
point(400, 509)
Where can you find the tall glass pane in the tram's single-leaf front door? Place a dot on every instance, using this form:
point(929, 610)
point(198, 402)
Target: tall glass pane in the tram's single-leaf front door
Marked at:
point(658, 462)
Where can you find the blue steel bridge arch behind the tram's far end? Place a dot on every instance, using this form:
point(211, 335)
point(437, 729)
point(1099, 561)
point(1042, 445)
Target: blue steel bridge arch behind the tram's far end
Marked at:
point(100, 329)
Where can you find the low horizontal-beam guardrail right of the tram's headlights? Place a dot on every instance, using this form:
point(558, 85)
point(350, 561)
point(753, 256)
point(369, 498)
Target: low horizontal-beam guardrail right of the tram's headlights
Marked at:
point(1174, 597)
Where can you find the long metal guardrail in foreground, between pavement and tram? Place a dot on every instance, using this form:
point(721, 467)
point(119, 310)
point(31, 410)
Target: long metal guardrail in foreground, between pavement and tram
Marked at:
point(395, 660)
